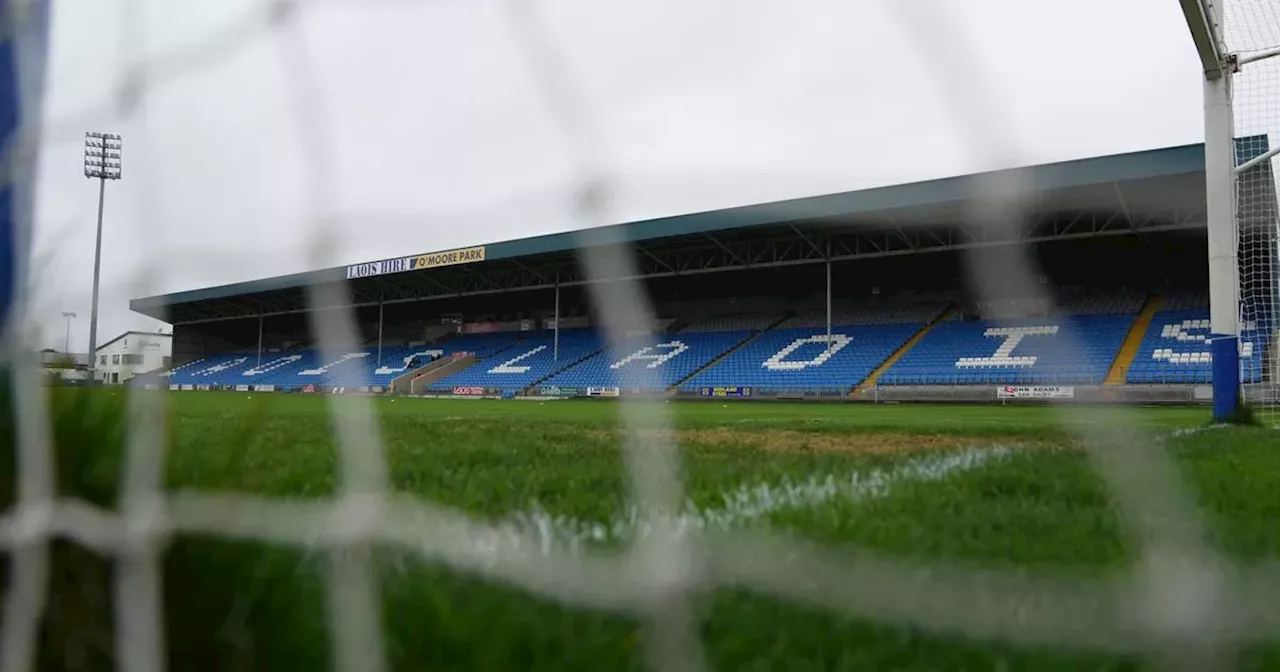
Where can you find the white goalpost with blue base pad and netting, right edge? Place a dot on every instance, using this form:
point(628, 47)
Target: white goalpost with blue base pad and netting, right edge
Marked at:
point(1237, 43)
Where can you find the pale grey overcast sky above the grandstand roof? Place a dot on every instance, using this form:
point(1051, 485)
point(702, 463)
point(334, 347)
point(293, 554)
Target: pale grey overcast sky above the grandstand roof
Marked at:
point(418, 126)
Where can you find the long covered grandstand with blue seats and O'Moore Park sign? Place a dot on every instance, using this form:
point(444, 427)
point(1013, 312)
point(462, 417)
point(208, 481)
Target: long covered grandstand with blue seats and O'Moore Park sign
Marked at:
point(856, 296)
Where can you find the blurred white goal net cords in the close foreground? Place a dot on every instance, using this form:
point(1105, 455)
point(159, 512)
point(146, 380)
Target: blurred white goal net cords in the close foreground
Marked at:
point(1182, 606)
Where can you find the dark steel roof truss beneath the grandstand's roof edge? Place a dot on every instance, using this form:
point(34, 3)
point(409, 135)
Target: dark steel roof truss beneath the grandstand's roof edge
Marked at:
point(787, 245)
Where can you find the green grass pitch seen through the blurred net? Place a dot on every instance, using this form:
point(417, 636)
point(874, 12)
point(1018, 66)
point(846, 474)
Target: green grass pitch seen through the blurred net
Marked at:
point(240, 606)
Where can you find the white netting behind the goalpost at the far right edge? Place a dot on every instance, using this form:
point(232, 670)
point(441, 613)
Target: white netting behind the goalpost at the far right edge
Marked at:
point(1251, 30)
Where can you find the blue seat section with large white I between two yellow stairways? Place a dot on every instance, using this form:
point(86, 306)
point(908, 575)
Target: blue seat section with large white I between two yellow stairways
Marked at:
point(1013, 353)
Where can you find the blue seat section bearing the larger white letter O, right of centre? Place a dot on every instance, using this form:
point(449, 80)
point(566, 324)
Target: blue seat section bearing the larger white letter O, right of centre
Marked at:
point(801, 359)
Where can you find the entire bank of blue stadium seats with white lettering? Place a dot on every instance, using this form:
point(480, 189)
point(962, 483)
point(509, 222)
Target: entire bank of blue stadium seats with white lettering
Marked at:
point(793, 358)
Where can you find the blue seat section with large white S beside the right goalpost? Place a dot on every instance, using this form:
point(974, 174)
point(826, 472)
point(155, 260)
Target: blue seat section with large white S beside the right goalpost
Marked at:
point(1176, 350)
